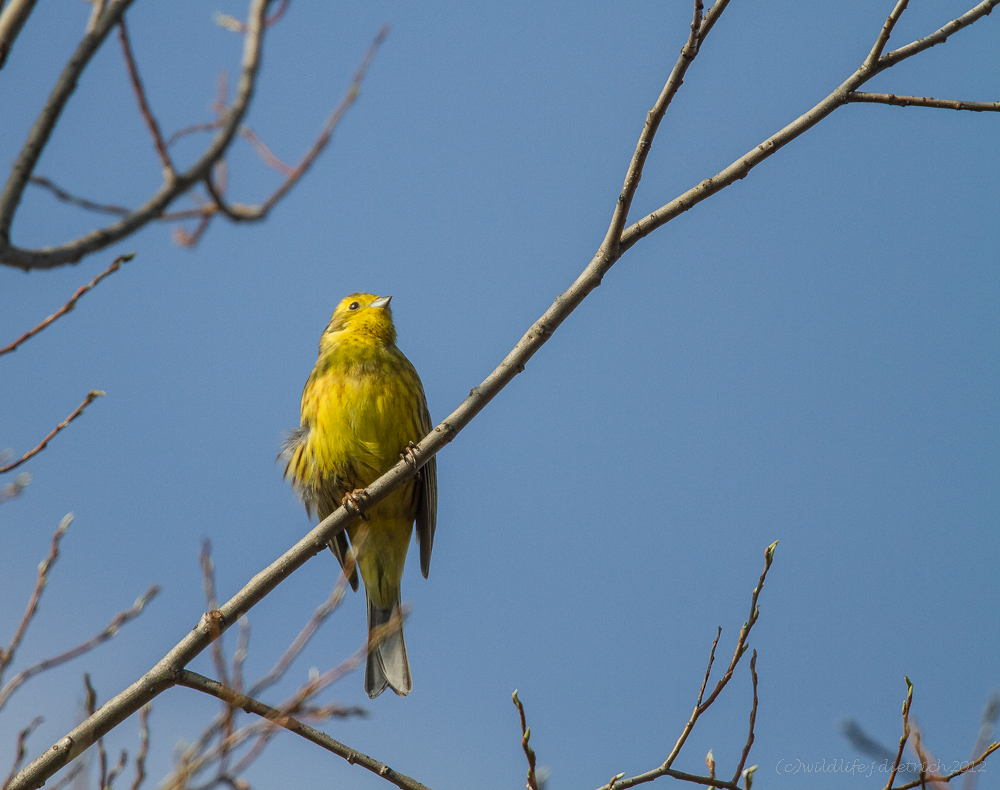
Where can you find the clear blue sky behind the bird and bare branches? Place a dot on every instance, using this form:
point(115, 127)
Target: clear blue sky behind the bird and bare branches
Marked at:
point(809, 356)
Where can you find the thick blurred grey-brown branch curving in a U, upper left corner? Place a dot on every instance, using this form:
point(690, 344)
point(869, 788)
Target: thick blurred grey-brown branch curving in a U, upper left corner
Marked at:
point(73, 251)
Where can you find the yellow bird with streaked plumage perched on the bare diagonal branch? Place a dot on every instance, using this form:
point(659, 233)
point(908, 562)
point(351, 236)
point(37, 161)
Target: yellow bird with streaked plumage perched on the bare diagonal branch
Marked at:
point(361, 407)
